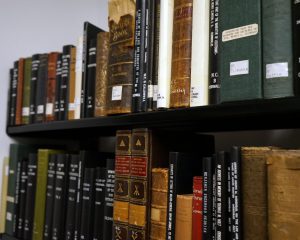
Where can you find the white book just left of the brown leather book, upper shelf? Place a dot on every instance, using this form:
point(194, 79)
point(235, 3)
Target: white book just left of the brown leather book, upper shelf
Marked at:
point(165, 53)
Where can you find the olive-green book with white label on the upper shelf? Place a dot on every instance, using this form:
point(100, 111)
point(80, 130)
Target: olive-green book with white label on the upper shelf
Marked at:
point(26, 91)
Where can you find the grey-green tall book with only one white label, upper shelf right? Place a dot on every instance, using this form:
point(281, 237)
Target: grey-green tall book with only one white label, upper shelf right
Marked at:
point(277, 49)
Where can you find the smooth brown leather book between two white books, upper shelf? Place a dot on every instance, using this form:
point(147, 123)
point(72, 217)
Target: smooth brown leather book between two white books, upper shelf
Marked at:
point(181, 54)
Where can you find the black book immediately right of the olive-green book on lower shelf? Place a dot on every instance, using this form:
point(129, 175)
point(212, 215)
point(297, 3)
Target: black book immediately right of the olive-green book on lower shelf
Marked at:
point(50, 197)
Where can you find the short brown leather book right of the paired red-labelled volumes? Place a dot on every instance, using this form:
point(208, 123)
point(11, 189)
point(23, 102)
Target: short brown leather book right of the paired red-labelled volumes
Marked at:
point(159, 203)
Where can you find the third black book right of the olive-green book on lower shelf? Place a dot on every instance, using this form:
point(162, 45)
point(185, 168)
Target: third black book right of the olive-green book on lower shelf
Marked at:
point(72, 193)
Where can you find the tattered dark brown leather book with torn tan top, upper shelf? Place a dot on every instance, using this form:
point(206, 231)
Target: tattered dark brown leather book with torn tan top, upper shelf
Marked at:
point(120, 68)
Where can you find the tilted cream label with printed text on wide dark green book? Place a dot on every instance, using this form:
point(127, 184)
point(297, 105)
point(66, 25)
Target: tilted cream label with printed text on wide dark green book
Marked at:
point(240, 32)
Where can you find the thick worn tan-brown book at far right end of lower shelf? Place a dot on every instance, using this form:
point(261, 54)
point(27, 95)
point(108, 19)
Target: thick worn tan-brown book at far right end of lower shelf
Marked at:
point(283, 194)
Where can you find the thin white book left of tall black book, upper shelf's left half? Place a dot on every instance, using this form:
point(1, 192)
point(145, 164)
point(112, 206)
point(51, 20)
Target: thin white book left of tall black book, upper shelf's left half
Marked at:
point(78, 76)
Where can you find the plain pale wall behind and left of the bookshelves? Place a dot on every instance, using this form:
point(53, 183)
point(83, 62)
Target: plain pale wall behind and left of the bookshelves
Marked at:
point(36, 26)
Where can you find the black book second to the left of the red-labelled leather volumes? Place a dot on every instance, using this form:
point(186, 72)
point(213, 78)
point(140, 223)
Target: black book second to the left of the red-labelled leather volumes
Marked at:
point(100, 181)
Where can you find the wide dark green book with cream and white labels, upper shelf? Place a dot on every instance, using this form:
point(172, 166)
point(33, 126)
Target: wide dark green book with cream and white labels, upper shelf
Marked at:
point(240, 56)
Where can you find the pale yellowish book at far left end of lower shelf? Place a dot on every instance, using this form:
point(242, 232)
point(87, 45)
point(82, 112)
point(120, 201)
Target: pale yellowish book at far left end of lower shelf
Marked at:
point(5, 173)
